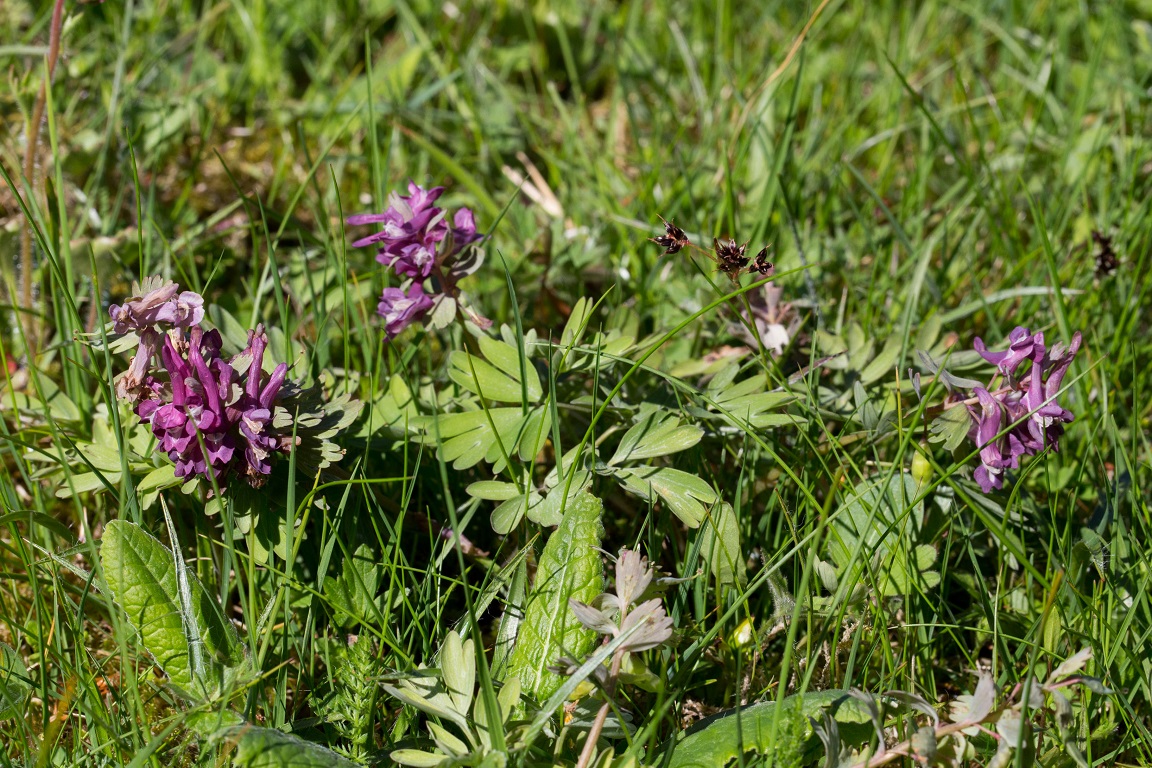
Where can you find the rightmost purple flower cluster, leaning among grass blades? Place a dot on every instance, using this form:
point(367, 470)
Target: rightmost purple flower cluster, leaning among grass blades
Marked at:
point(1025, 404)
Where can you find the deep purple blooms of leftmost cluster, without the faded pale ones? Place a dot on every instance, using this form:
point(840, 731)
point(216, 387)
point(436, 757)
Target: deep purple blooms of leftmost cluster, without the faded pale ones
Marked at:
point(216, 415)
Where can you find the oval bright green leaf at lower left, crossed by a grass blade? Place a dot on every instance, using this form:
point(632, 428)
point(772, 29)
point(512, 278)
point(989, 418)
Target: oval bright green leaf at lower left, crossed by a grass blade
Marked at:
point(142, 576)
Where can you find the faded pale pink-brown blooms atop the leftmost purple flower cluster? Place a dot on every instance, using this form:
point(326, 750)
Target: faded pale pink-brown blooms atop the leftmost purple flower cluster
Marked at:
point(157, 307)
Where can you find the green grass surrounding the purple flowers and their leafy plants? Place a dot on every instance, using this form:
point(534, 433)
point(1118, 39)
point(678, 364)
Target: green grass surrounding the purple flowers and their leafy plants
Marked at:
point(905, 161)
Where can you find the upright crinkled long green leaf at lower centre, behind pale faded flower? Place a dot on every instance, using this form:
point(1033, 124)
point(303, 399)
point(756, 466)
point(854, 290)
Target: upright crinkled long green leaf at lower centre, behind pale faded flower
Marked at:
point(570, 568)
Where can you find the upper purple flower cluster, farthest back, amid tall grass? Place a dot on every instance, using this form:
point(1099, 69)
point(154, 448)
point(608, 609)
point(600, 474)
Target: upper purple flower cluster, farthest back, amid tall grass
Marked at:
point(418, 244)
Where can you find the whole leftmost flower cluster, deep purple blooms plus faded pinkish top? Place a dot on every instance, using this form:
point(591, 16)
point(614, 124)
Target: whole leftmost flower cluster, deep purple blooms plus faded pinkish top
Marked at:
point(214, 417)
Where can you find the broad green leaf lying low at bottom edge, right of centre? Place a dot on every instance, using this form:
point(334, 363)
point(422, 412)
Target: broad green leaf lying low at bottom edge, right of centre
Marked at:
point(723, 739)
